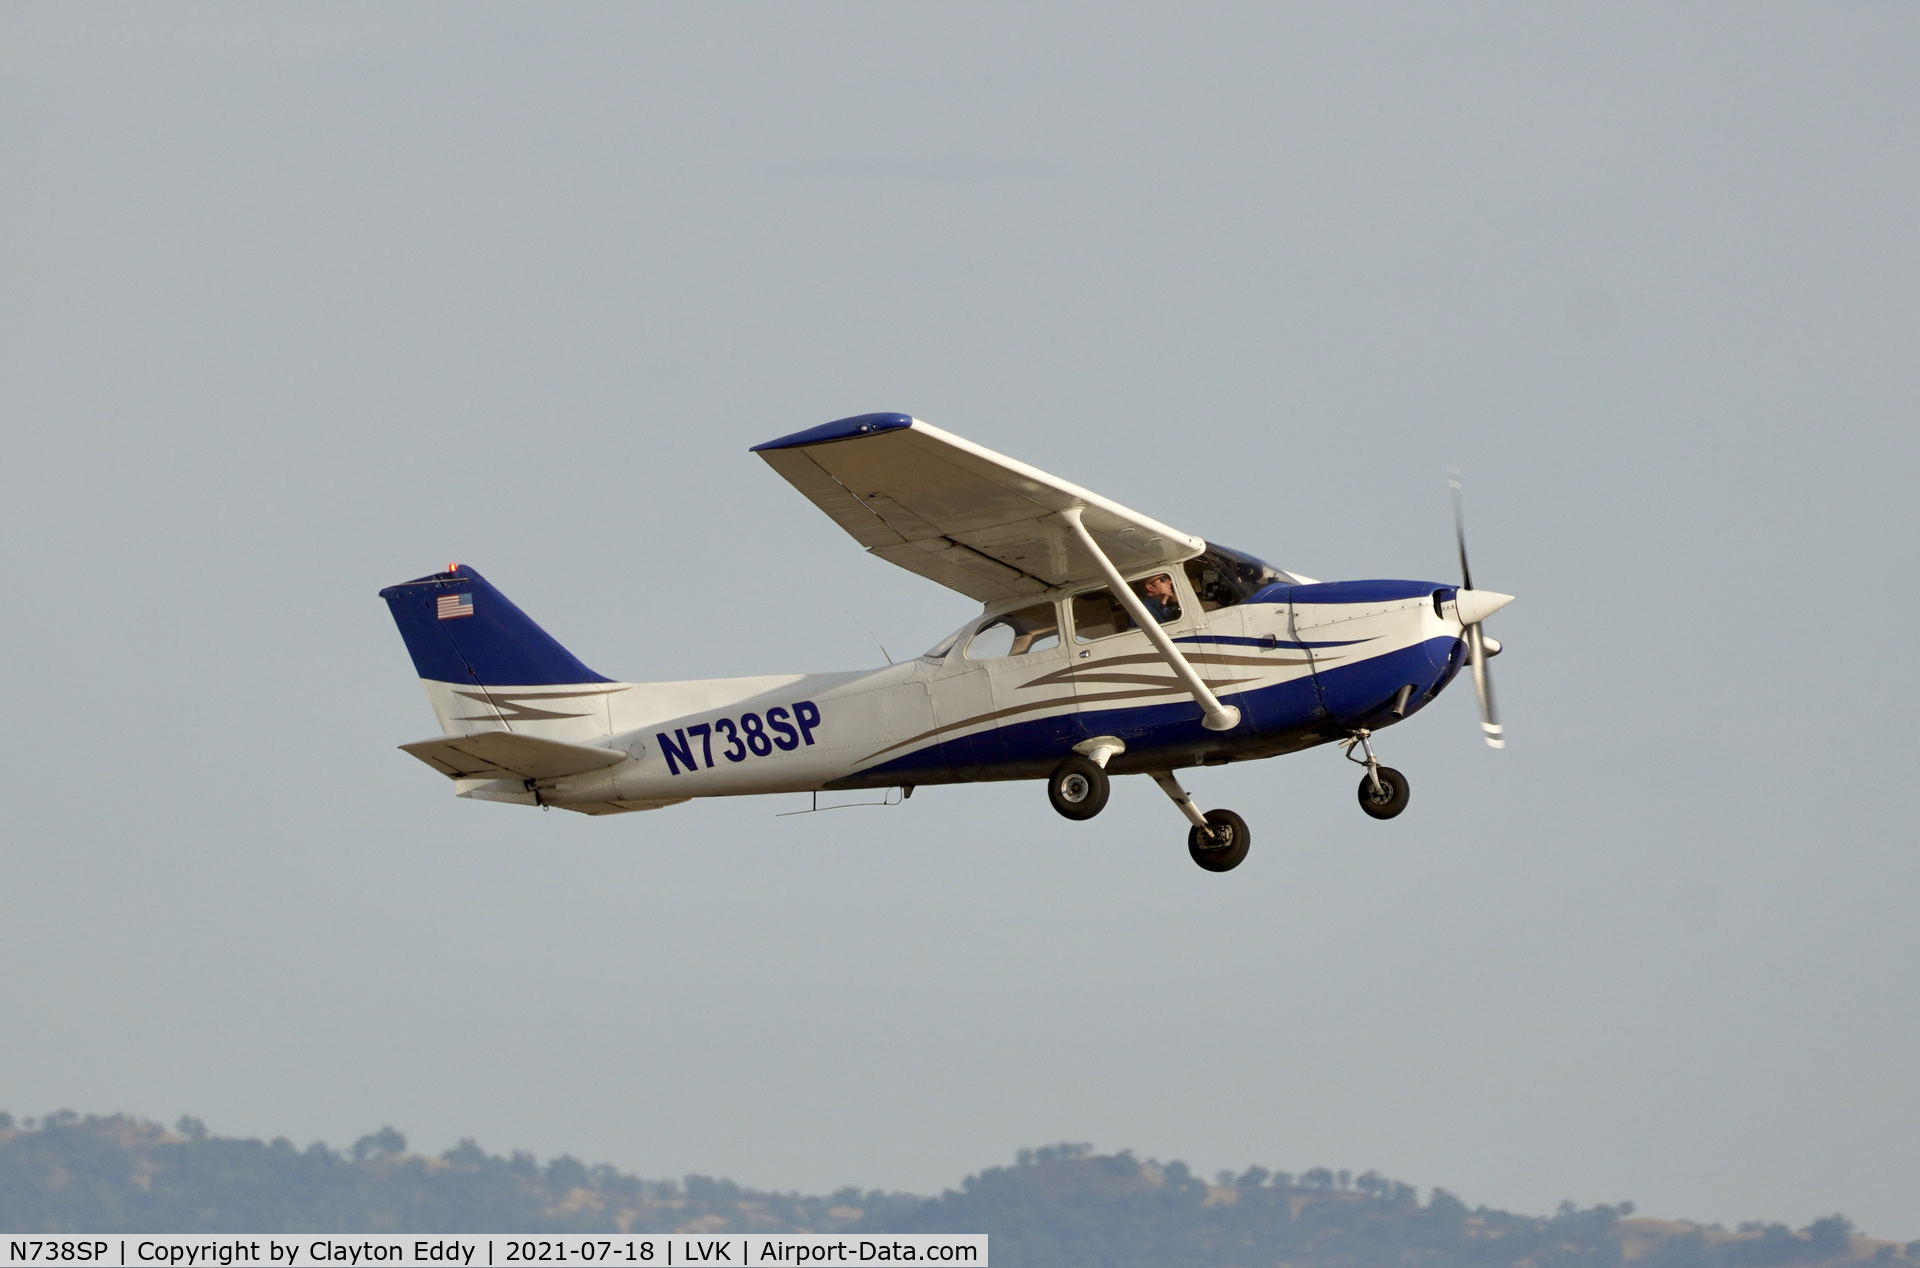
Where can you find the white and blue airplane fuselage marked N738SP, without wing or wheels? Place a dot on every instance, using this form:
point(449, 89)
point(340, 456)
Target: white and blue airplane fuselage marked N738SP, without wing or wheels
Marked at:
point(1301, 671)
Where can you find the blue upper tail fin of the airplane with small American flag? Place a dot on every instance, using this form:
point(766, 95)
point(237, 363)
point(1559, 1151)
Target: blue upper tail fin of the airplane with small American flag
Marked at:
point(462, 629)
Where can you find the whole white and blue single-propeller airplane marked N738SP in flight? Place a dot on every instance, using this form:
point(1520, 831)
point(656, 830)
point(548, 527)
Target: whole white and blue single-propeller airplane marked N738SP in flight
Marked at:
point(1107, 645)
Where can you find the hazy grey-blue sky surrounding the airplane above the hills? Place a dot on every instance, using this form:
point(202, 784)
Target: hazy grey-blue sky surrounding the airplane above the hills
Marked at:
point(302, 301)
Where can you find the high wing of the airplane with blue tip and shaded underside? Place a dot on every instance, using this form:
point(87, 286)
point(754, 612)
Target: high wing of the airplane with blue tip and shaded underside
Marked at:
point(972, 520)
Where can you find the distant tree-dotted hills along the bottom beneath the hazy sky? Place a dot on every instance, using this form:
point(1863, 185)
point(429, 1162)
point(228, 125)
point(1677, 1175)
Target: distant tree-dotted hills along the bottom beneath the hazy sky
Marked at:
point(1055, 1207)
